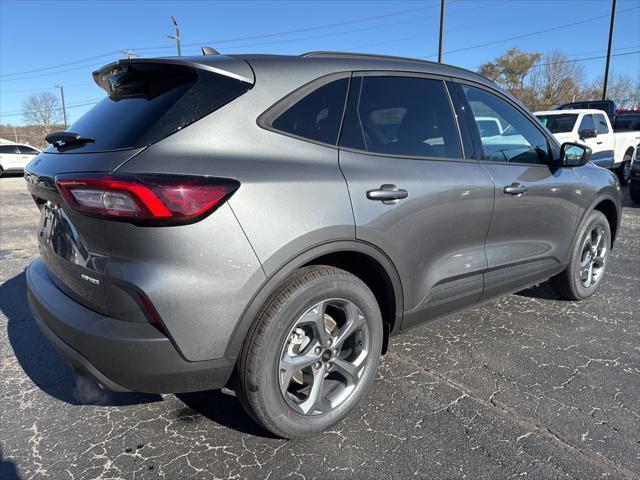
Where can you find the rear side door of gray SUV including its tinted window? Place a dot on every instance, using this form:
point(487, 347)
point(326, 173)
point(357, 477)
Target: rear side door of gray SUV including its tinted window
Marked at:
point(414, 194)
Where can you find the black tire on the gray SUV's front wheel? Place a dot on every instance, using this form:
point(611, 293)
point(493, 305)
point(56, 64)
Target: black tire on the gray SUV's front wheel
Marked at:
point(569, 284)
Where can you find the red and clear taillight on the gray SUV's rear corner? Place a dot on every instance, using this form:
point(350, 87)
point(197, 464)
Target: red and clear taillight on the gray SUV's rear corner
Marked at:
point(145, 199)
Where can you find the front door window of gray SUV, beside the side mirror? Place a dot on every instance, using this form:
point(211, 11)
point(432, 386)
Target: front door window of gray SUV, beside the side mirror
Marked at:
point(517, 140)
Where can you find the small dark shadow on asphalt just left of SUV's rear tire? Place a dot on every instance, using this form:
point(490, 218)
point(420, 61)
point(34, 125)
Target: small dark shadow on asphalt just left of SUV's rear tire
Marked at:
point(222, 409)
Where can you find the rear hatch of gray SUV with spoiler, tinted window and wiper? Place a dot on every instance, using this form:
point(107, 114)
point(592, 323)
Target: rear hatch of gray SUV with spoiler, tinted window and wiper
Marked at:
point(147, 100)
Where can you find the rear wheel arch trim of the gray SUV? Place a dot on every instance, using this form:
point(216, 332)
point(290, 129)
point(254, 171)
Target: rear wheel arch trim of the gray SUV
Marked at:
point(362, 259)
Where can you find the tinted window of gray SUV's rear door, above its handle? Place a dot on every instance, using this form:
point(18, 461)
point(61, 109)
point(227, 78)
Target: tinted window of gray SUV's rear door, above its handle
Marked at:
point(404, 116)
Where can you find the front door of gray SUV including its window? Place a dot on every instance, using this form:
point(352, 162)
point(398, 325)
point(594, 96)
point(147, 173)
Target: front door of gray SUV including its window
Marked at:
point(536, 202)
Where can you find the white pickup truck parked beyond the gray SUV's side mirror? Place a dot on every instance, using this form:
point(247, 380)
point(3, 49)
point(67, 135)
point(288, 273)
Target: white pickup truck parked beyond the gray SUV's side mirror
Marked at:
point(614, 150)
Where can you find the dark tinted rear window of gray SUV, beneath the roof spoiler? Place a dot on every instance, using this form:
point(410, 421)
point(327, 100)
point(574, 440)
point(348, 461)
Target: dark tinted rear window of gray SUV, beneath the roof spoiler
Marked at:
point(148, 102)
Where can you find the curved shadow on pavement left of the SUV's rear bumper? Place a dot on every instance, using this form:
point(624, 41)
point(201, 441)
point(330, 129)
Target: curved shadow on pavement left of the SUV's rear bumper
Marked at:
point(41, 362)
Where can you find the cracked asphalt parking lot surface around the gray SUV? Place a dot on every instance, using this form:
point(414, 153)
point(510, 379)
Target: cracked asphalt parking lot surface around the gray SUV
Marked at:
point(524, 386)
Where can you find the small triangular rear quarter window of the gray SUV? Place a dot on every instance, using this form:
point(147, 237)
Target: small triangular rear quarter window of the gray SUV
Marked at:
point(318, 115)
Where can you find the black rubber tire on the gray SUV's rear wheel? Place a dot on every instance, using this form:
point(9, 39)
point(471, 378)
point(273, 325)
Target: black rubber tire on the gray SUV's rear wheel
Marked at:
point(259, 367)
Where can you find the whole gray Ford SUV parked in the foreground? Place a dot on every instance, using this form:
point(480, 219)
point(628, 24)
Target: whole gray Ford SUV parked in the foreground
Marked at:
point(268, 222)
